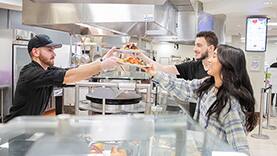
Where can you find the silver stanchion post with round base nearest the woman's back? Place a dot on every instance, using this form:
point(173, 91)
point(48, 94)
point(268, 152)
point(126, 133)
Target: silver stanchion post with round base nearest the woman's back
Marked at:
point(260, 135)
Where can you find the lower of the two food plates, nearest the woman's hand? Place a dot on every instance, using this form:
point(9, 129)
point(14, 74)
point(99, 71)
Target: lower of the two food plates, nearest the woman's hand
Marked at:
point(133, 61)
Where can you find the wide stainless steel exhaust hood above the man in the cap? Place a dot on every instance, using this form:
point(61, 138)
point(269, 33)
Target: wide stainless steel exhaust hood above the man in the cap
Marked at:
point(102, 19)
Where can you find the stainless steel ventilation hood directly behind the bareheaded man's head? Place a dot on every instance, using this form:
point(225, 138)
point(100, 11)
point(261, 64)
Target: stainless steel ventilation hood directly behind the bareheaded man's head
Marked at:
point(190, 20)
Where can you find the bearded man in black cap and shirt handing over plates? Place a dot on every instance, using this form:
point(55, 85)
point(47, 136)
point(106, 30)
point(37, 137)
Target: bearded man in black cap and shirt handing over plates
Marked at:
point(37, 79)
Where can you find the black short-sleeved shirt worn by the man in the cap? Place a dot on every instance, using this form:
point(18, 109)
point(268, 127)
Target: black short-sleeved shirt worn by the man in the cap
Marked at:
point(34, 88)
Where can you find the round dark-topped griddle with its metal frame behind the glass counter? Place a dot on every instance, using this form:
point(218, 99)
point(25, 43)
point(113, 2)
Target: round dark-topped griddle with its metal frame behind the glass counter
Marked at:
point(112, 97)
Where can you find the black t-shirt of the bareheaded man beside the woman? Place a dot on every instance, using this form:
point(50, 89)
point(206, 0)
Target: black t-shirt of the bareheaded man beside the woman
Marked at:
point(191, 70)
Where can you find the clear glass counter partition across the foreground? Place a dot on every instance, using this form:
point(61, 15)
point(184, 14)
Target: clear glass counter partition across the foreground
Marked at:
point(136, 135)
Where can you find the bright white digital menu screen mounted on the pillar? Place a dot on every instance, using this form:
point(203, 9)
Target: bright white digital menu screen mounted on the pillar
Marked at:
point(256, 34)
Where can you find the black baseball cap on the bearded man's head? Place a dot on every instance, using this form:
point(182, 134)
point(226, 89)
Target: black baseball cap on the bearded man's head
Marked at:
point(42, 40)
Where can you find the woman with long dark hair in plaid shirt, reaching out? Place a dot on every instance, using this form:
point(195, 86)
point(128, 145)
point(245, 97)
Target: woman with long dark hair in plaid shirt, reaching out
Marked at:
point(225, 101)
